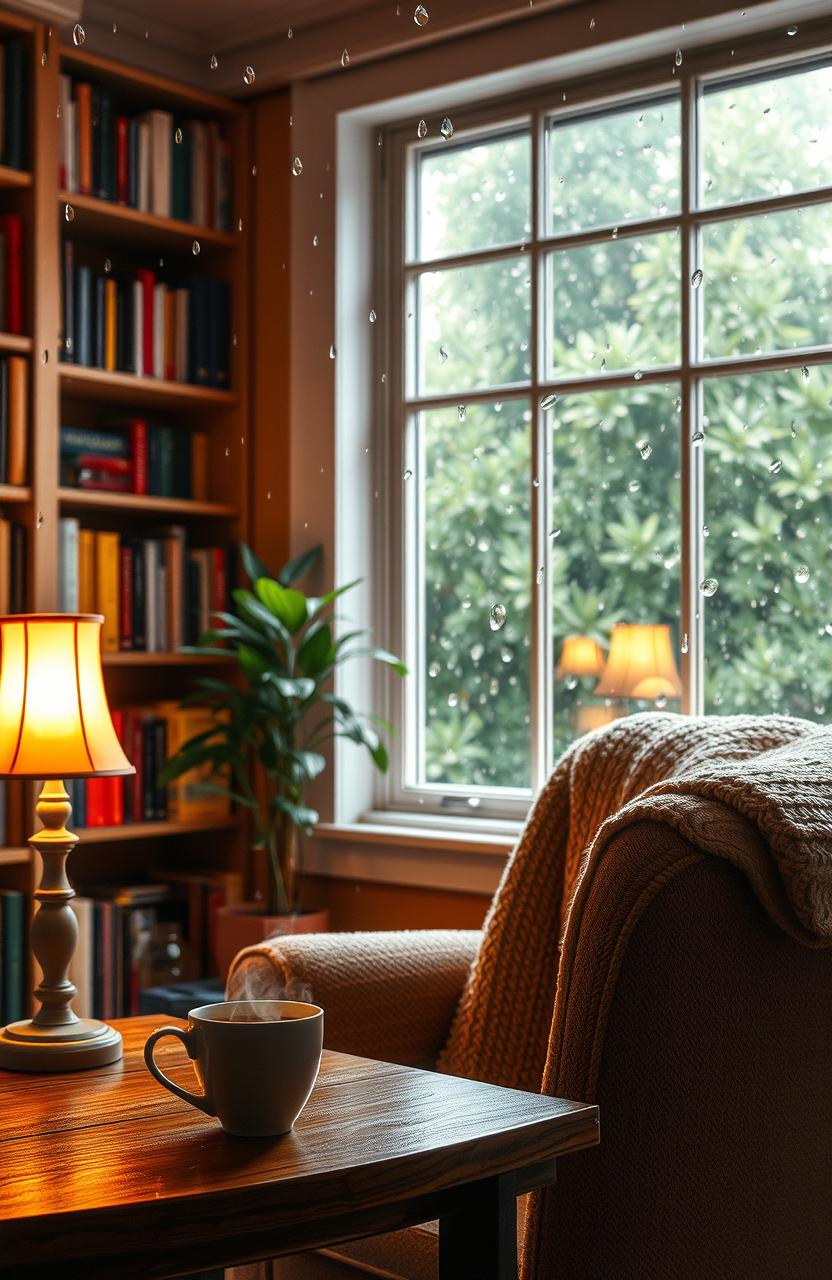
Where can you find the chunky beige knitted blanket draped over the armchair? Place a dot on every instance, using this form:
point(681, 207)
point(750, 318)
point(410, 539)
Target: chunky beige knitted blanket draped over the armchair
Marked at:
point(755, 790)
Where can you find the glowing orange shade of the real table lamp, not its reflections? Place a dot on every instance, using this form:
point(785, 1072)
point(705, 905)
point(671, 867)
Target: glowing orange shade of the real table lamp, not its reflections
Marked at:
point(54, 715)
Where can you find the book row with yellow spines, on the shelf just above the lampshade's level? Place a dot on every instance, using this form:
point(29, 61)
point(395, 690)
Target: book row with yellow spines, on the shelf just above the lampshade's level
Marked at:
point(157, 593)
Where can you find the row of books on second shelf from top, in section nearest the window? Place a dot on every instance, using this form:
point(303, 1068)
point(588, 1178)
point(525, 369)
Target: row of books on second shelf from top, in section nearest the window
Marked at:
point(136, 324)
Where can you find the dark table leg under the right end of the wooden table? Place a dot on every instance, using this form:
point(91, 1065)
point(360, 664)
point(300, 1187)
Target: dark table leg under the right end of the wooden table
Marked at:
point(481, 1242)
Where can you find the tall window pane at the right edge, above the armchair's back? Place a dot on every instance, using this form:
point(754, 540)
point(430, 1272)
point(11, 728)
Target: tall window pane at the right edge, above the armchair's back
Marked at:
point(769, 501)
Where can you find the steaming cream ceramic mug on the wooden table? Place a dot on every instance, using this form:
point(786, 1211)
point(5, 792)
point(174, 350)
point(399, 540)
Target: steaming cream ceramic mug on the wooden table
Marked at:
point(257, 1060)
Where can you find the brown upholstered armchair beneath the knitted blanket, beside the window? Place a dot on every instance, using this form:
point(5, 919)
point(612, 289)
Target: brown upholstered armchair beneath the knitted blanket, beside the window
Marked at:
point(701, 1026)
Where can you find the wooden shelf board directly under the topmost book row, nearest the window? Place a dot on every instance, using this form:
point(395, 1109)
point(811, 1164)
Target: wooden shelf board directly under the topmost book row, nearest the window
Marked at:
point(104, 218)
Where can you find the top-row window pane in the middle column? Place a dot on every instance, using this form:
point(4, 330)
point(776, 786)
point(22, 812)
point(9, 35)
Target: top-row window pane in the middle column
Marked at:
point(615, 168)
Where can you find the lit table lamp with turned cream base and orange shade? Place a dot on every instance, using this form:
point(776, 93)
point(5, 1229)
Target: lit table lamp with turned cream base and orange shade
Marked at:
point(54, 725)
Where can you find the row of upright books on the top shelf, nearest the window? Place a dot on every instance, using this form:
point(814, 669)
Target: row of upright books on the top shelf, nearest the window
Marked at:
point(152, 162)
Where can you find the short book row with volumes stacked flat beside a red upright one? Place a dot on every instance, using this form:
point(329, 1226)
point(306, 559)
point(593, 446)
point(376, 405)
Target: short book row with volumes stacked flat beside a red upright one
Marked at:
point(136, 458)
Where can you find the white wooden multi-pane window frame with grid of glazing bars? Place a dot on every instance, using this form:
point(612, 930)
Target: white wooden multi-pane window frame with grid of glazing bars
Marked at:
point(711, 65)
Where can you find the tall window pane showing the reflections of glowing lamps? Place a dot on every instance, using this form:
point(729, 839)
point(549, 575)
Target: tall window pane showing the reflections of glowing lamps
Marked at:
point(615, 552)
